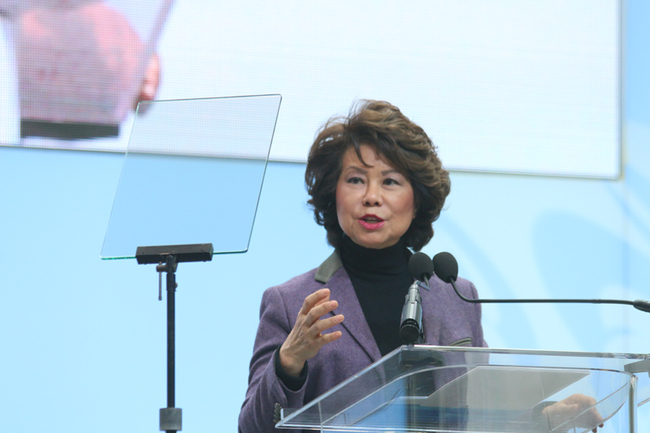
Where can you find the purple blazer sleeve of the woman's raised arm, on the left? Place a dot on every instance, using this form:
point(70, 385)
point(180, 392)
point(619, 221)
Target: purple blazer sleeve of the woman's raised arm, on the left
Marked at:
point(265, 390)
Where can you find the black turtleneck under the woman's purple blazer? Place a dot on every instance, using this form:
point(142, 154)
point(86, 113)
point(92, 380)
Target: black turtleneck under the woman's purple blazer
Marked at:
point(381, 280)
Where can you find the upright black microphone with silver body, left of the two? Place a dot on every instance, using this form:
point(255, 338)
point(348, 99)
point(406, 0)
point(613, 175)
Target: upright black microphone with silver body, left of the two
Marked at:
point(421, 269)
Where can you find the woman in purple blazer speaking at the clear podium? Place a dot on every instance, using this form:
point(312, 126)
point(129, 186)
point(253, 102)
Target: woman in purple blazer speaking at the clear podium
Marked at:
point(376, 185)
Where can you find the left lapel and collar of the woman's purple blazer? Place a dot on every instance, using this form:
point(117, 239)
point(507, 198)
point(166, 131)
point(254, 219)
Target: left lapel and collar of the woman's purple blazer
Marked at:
point(332, 273)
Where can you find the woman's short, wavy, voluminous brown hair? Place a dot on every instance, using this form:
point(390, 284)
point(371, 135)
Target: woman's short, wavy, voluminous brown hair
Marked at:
point(403, 143)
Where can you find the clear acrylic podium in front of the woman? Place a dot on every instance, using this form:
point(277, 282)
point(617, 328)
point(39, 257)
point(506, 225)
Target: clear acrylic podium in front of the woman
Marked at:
point(460, 389)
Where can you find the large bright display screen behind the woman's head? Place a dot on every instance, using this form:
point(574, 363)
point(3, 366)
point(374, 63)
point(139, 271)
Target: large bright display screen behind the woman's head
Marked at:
point(514, 86)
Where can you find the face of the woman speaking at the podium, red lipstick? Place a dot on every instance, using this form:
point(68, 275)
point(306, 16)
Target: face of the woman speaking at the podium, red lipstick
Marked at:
point(374, 203)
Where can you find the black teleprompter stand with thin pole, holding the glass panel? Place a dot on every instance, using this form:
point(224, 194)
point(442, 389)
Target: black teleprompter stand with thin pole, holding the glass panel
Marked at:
point(167, 258)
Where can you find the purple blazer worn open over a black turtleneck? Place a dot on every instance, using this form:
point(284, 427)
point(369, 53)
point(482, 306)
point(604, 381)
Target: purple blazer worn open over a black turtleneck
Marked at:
point(447, 321)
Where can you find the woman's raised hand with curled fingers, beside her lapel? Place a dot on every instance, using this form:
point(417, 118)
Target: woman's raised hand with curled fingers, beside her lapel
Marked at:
point(306, 337)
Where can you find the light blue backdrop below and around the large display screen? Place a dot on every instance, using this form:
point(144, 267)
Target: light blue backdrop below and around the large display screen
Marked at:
point(83, 340)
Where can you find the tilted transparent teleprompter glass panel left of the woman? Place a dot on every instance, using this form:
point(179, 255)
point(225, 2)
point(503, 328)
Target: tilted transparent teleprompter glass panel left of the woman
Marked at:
point(192, 174)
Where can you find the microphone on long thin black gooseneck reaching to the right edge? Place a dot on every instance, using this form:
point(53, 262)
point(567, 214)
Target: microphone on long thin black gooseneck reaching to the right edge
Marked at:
point(446, 268)
